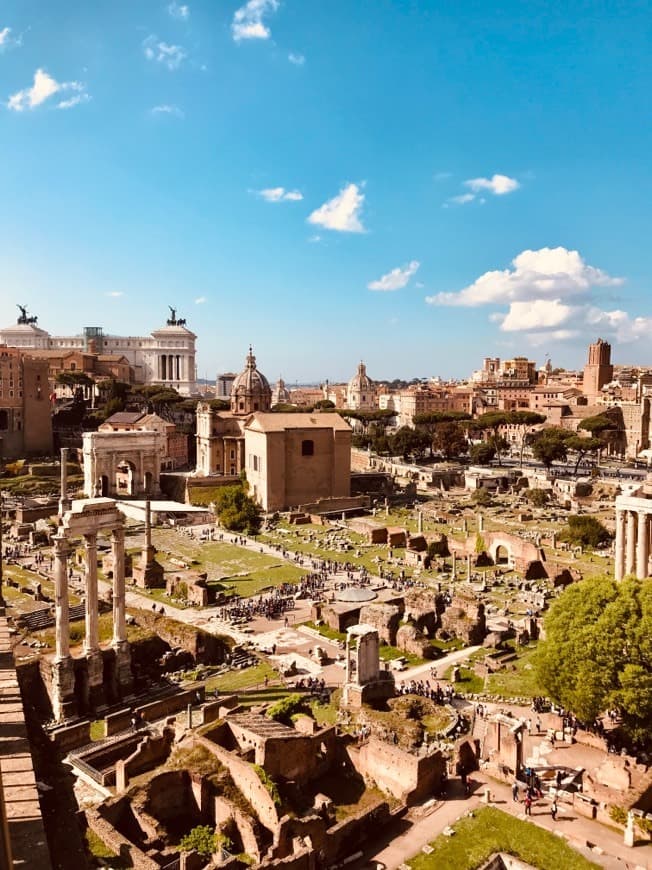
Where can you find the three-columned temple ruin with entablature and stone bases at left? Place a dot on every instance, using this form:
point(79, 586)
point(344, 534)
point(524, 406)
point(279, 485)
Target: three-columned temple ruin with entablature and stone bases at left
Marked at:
point(82, 684)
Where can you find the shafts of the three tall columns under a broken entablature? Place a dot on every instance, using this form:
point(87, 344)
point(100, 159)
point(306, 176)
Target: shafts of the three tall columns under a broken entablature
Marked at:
point(62, 606)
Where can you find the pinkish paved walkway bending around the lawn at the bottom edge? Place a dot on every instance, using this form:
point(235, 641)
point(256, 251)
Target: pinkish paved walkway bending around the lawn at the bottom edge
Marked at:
point(423, 826)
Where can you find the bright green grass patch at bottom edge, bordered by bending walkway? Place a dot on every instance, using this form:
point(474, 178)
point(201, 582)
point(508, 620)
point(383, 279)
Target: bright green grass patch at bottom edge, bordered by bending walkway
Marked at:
point(489, 831)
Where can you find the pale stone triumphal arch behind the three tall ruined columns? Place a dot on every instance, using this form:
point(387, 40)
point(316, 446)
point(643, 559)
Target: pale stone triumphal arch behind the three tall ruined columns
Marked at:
point(122, 464)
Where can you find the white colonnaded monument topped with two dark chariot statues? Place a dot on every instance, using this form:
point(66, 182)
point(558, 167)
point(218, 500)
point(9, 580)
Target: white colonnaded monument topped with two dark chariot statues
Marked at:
point(165, 357)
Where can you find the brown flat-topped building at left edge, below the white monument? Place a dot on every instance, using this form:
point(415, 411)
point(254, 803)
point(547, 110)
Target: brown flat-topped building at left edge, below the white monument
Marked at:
point(25, 413)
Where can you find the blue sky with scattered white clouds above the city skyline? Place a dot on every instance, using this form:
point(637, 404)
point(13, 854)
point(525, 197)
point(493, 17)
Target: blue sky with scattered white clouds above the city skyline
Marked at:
point(418, 184)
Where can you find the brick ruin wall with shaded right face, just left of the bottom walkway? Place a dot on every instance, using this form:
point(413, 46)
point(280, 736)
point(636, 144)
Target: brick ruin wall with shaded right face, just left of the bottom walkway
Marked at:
point(408, 777)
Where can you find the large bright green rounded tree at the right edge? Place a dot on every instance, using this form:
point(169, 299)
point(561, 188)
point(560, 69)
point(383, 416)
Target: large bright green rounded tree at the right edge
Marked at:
point(597, 653)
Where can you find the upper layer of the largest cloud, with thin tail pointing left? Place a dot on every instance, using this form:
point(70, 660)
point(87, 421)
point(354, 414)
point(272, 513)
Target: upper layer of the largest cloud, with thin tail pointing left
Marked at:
point(549, 273)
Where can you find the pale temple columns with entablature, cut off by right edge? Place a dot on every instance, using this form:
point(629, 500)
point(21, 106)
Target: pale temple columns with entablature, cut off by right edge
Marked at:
point(634, 532)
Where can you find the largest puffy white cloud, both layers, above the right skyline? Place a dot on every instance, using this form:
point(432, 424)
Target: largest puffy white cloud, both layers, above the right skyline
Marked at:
point(549, 295)
